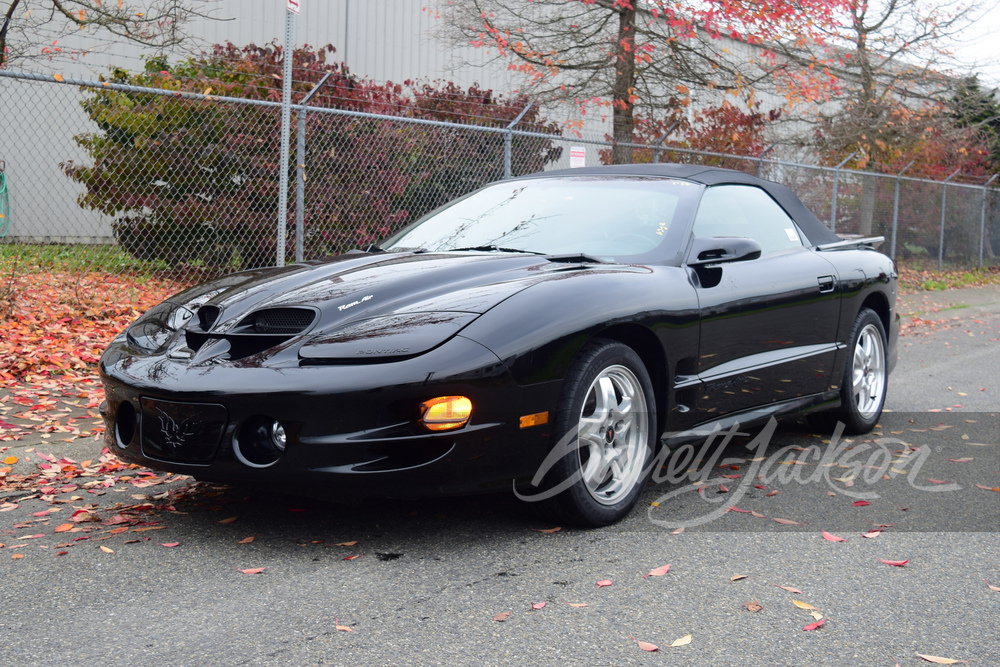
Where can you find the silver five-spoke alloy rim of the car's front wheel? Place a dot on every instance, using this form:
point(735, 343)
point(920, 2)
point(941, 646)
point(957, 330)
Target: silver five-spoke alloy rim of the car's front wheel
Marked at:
point(613, 435)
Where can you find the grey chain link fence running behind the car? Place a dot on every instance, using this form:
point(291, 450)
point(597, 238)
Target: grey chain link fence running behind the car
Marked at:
point(176, 180)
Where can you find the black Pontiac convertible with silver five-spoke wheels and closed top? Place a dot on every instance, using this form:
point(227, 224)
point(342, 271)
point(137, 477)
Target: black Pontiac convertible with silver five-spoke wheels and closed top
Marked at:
point(594, 313)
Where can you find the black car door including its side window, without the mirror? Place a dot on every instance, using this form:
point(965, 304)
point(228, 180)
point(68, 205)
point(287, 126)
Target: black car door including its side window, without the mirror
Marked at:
point(768, 325)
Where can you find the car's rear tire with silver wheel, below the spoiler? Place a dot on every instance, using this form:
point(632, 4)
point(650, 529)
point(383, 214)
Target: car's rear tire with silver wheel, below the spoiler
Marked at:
point(862, 391)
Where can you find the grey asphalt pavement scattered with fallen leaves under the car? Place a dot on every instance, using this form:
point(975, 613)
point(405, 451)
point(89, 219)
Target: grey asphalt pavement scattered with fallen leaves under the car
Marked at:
point(157, 570)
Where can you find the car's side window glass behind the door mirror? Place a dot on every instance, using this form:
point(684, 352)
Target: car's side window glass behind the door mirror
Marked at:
point(747, 211)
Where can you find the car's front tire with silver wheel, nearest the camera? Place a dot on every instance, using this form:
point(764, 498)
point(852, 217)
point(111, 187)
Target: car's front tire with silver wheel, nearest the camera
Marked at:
point(606, 424)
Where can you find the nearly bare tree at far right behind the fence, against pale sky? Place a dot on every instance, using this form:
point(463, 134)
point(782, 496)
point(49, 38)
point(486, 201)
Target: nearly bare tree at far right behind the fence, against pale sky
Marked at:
point(881, 55)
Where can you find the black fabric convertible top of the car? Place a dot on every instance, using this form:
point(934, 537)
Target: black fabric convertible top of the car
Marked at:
point(817, 232)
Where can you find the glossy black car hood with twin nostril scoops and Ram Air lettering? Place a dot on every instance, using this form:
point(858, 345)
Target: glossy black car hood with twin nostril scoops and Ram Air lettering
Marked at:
point(361, 306)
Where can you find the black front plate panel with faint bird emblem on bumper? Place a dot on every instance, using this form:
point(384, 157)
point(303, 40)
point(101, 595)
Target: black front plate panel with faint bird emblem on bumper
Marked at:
point(182, 432)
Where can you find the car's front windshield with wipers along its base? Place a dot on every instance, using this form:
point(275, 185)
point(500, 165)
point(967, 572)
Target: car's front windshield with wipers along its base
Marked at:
point(599, 216)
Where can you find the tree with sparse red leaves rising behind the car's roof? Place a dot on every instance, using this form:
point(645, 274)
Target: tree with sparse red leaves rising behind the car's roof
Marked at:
point(634, 53)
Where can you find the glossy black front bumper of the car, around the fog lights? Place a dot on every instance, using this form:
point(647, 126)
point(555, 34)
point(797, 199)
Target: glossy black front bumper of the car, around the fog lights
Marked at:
point(352, 430)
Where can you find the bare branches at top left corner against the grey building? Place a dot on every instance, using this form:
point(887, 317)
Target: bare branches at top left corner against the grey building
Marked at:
point(32, 29)
